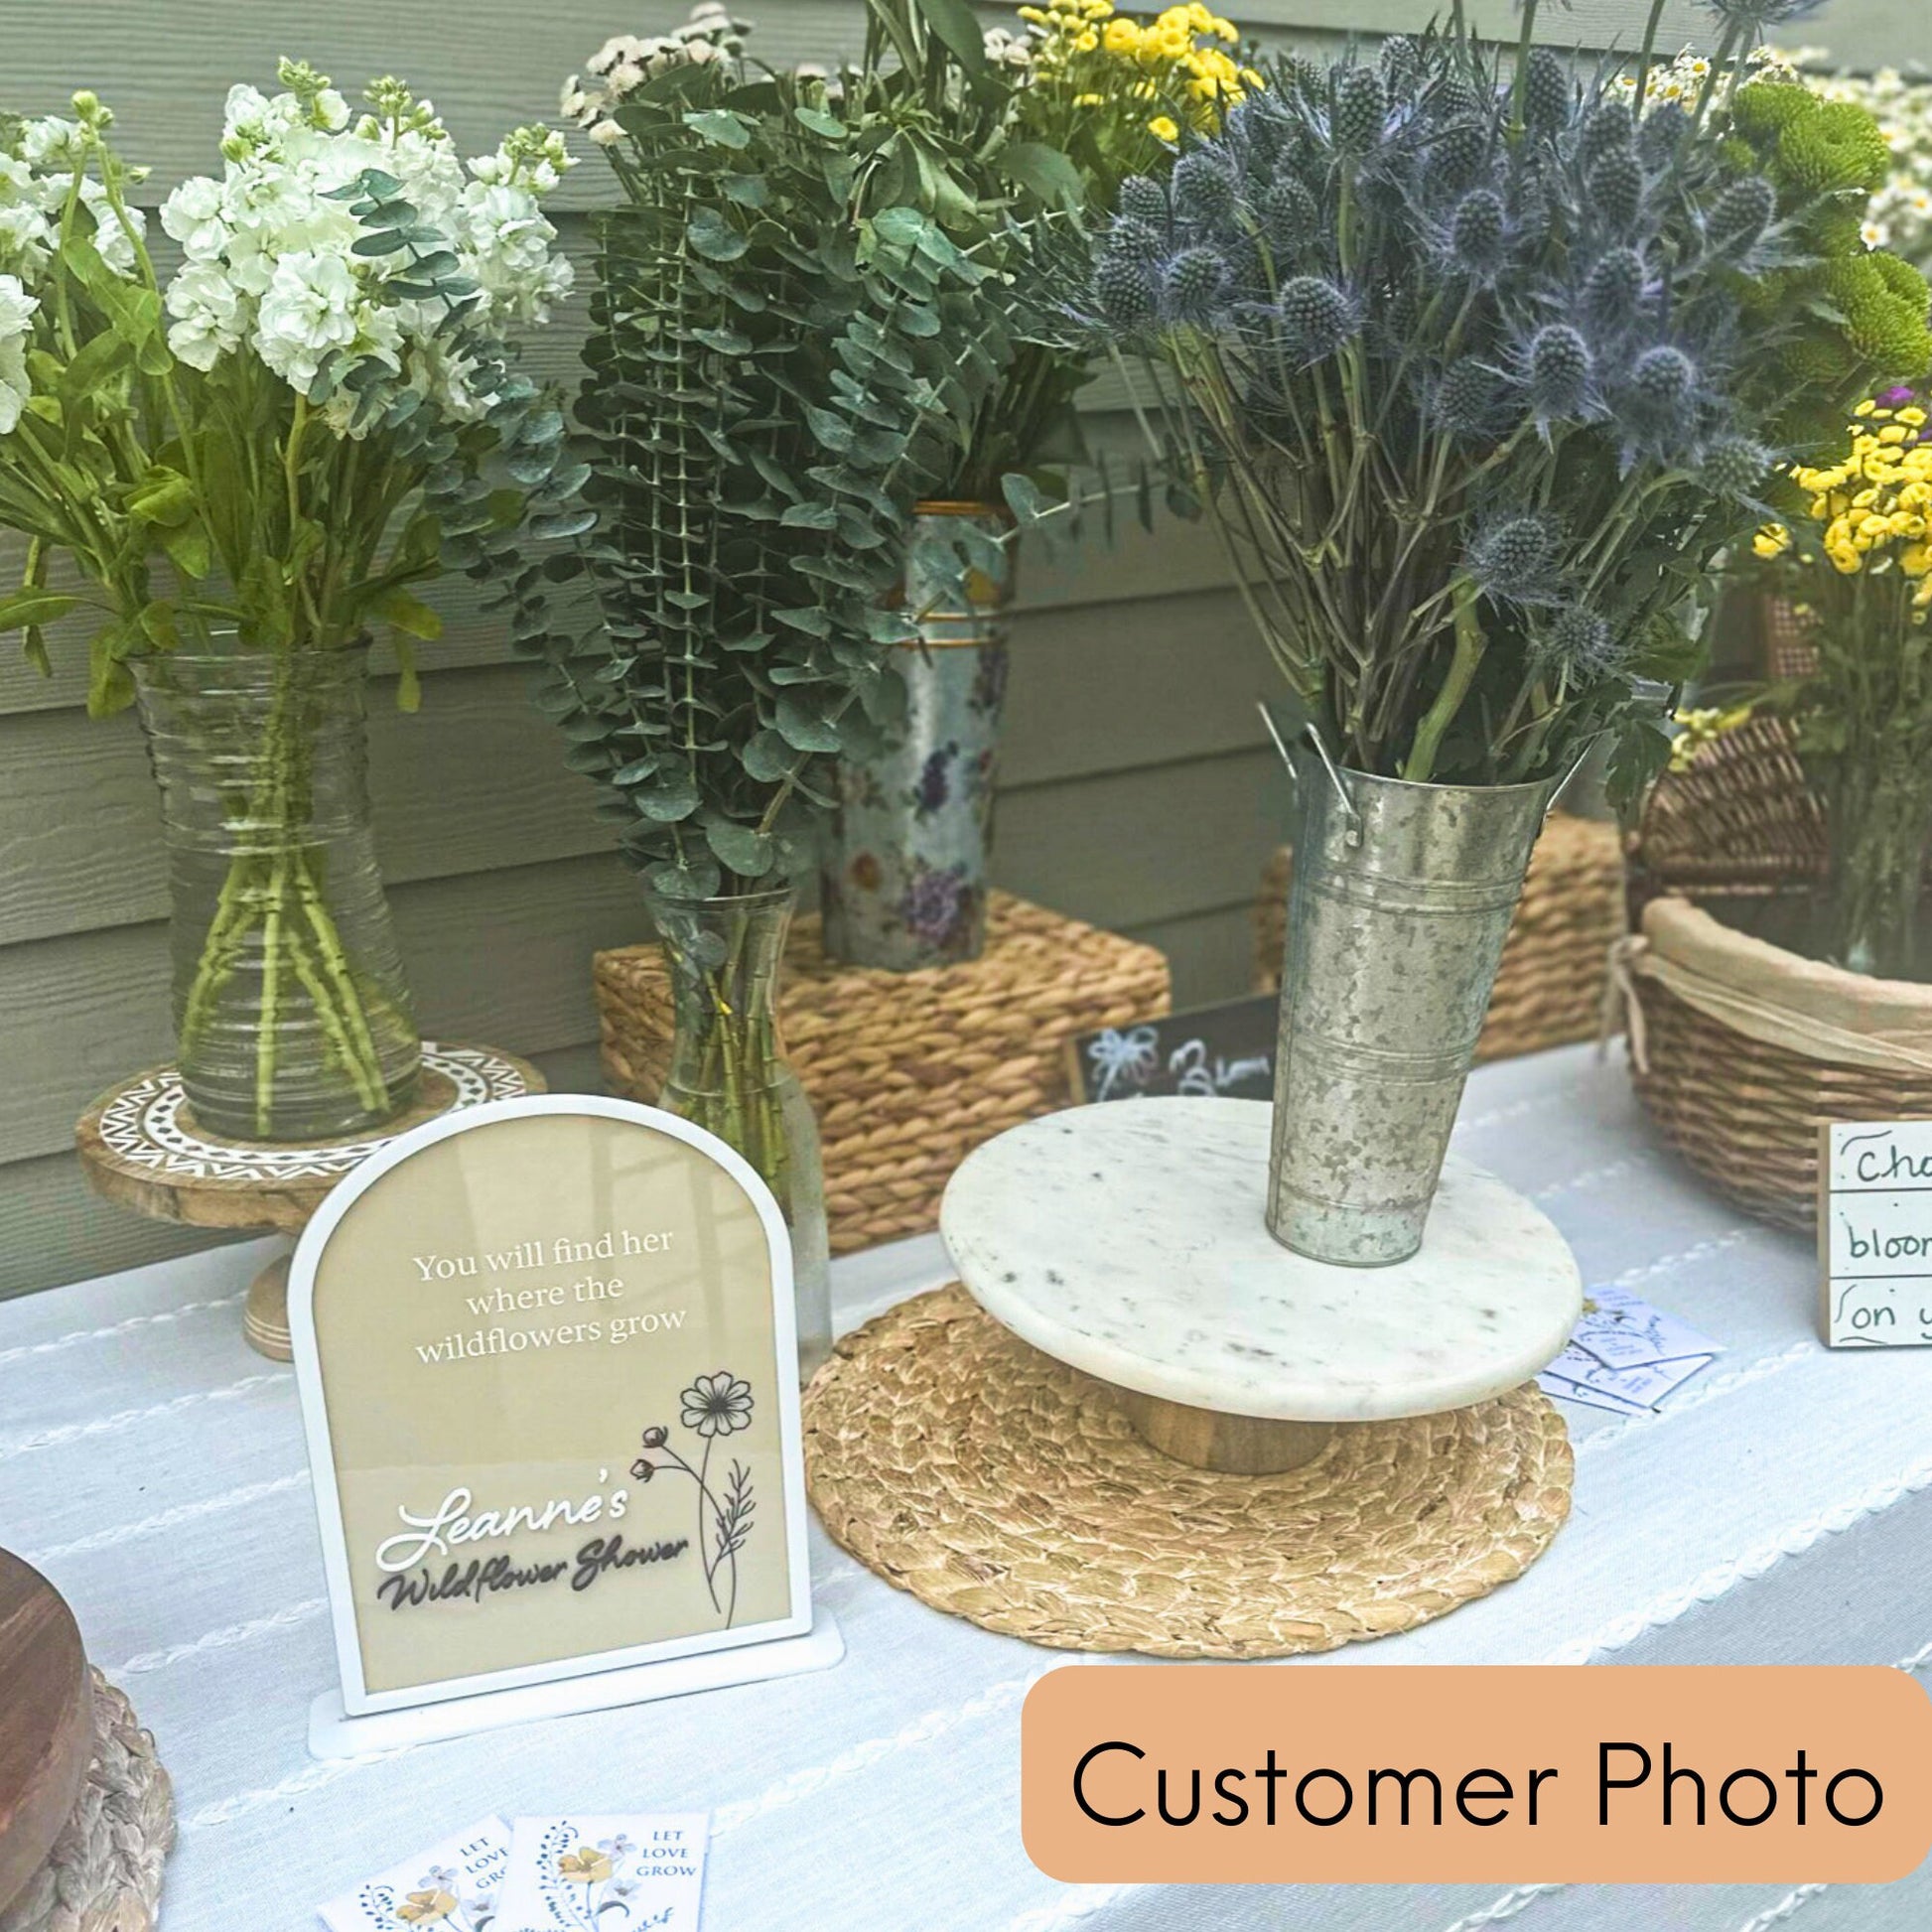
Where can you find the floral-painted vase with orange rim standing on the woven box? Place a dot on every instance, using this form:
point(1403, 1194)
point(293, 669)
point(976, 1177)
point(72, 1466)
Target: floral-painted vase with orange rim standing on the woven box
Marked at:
point(905, 870)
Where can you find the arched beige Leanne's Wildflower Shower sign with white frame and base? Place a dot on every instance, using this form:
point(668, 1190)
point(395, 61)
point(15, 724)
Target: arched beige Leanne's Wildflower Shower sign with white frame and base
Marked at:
point(550, 1378)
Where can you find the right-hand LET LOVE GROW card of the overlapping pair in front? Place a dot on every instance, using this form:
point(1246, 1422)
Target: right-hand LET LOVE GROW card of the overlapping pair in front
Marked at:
point(590, 1873)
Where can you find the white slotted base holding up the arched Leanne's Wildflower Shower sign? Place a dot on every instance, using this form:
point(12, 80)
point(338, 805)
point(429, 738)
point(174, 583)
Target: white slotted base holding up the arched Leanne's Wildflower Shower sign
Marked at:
point(337, 1736)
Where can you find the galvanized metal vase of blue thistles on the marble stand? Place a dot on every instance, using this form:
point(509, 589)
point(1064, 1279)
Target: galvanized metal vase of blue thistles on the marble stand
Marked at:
point(1398, 915)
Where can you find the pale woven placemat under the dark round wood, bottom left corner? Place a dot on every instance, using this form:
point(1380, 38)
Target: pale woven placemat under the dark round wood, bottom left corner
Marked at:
point(105, 1869)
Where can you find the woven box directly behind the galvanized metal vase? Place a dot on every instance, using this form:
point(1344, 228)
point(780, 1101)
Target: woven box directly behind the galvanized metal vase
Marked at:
point(1548, 990)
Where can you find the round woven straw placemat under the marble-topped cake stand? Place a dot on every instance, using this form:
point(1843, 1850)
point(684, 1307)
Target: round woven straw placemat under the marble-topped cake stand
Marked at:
point(1008, 1489)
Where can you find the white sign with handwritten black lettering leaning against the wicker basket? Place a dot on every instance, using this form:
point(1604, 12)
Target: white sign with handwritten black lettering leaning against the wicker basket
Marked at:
point(1875, 1234)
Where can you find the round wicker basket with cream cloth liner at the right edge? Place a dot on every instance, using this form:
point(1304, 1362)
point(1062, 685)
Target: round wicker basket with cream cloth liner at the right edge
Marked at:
point(1740, 1048)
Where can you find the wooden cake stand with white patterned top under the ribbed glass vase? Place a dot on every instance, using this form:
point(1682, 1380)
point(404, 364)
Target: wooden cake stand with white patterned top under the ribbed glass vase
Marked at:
point(142, 1147)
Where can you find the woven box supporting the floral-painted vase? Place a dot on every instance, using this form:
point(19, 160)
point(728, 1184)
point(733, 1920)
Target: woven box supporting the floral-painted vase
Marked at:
point(909, 1073)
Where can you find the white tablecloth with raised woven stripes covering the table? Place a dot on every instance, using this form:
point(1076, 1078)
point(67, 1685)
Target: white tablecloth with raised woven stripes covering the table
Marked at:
point(154, 1467)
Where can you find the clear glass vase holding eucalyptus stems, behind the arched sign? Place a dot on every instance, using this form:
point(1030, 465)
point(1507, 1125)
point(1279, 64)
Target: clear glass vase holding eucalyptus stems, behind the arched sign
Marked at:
point(729, 1073)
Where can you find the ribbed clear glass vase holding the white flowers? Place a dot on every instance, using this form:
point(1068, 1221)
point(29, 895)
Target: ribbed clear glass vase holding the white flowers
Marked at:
point(291, 1011)
